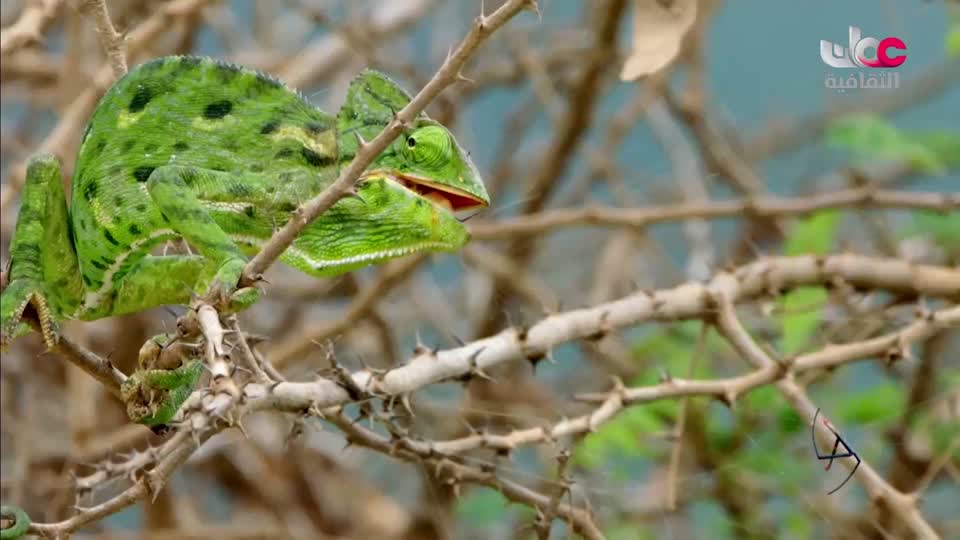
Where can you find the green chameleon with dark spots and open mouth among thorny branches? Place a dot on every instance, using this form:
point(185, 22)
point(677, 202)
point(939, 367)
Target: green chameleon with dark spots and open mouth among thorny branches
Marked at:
point(220, 155)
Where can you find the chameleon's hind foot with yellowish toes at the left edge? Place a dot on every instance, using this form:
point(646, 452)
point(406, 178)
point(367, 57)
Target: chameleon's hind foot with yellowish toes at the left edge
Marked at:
point(21, 295)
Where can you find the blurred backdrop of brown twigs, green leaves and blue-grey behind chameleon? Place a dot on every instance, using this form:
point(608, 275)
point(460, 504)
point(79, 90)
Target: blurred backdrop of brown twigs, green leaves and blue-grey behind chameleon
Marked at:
point(732, 105)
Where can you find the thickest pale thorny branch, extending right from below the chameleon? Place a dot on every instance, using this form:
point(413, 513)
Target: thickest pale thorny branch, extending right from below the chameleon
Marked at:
point(770, 276)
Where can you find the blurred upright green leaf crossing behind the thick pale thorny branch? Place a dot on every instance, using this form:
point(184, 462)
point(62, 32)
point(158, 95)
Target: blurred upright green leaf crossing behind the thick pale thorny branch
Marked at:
point(813, 235)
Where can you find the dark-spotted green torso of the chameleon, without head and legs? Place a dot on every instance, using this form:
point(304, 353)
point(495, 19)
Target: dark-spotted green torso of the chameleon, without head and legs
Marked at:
point(194, 112)
